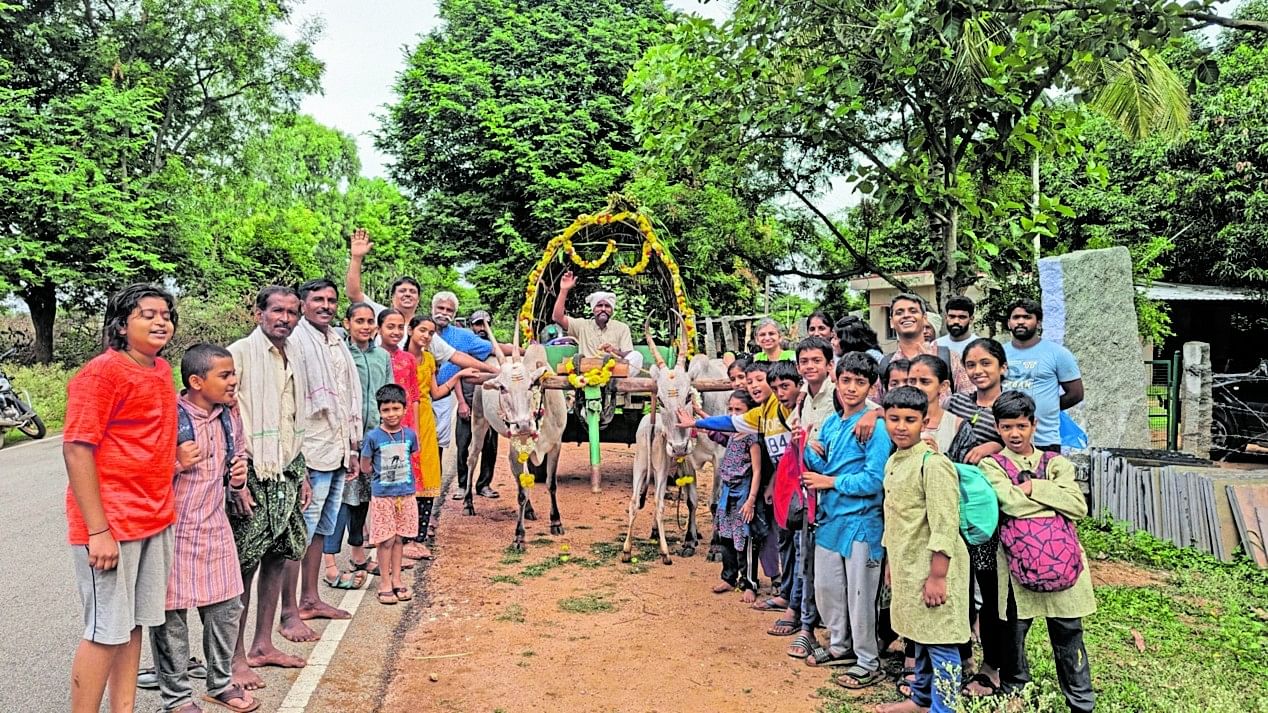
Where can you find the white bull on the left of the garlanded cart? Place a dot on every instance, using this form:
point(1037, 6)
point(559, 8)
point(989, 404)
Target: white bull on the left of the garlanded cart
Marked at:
point(531, 418)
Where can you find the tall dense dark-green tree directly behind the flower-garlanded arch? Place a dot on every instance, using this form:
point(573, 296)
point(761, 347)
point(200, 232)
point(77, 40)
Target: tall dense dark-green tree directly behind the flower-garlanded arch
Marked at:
point(512, 120)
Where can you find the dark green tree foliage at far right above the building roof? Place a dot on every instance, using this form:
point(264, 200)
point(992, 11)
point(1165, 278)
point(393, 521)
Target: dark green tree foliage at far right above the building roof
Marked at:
point(1205, 197)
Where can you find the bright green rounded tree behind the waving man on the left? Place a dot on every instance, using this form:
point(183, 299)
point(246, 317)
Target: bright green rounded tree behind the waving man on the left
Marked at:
point(283, 211)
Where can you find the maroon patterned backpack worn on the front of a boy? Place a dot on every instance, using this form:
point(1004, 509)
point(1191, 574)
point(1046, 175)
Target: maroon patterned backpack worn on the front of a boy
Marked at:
point(1044, 554)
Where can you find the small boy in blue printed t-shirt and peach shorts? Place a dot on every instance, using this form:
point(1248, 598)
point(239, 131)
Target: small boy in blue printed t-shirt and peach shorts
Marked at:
point(394, 514)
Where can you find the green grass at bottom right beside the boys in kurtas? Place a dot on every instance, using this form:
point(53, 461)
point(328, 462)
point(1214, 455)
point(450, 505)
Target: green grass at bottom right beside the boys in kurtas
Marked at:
point(1204, 625)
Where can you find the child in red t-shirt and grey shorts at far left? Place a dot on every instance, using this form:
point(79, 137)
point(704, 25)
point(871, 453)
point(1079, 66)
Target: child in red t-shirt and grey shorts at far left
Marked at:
point(120, 447)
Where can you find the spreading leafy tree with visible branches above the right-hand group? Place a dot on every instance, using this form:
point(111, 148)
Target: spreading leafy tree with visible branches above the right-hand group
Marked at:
point(924, 106)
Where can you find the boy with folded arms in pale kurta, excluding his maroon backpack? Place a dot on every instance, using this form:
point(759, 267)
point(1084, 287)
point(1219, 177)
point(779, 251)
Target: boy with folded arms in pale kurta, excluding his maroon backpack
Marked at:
point(1044, 493)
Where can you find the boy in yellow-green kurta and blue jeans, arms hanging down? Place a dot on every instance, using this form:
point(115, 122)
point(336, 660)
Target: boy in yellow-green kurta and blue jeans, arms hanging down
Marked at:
point(929, 563)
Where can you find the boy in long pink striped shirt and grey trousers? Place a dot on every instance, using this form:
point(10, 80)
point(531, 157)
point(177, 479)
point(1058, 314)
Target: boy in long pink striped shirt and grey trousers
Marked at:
point(205, 572)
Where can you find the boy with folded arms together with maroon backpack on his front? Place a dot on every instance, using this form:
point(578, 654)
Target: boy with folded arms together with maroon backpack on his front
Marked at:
point(1037, 485)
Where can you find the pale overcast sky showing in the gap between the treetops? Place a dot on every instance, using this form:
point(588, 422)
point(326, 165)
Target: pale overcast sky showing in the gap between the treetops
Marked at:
point(365, 45)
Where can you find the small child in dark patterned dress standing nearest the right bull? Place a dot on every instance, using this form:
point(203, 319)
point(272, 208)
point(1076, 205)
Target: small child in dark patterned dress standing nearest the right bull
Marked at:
point(741, 476)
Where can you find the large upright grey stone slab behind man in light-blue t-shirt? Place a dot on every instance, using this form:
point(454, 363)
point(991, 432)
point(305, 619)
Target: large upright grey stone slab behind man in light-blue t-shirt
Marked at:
point(1090, 306)
